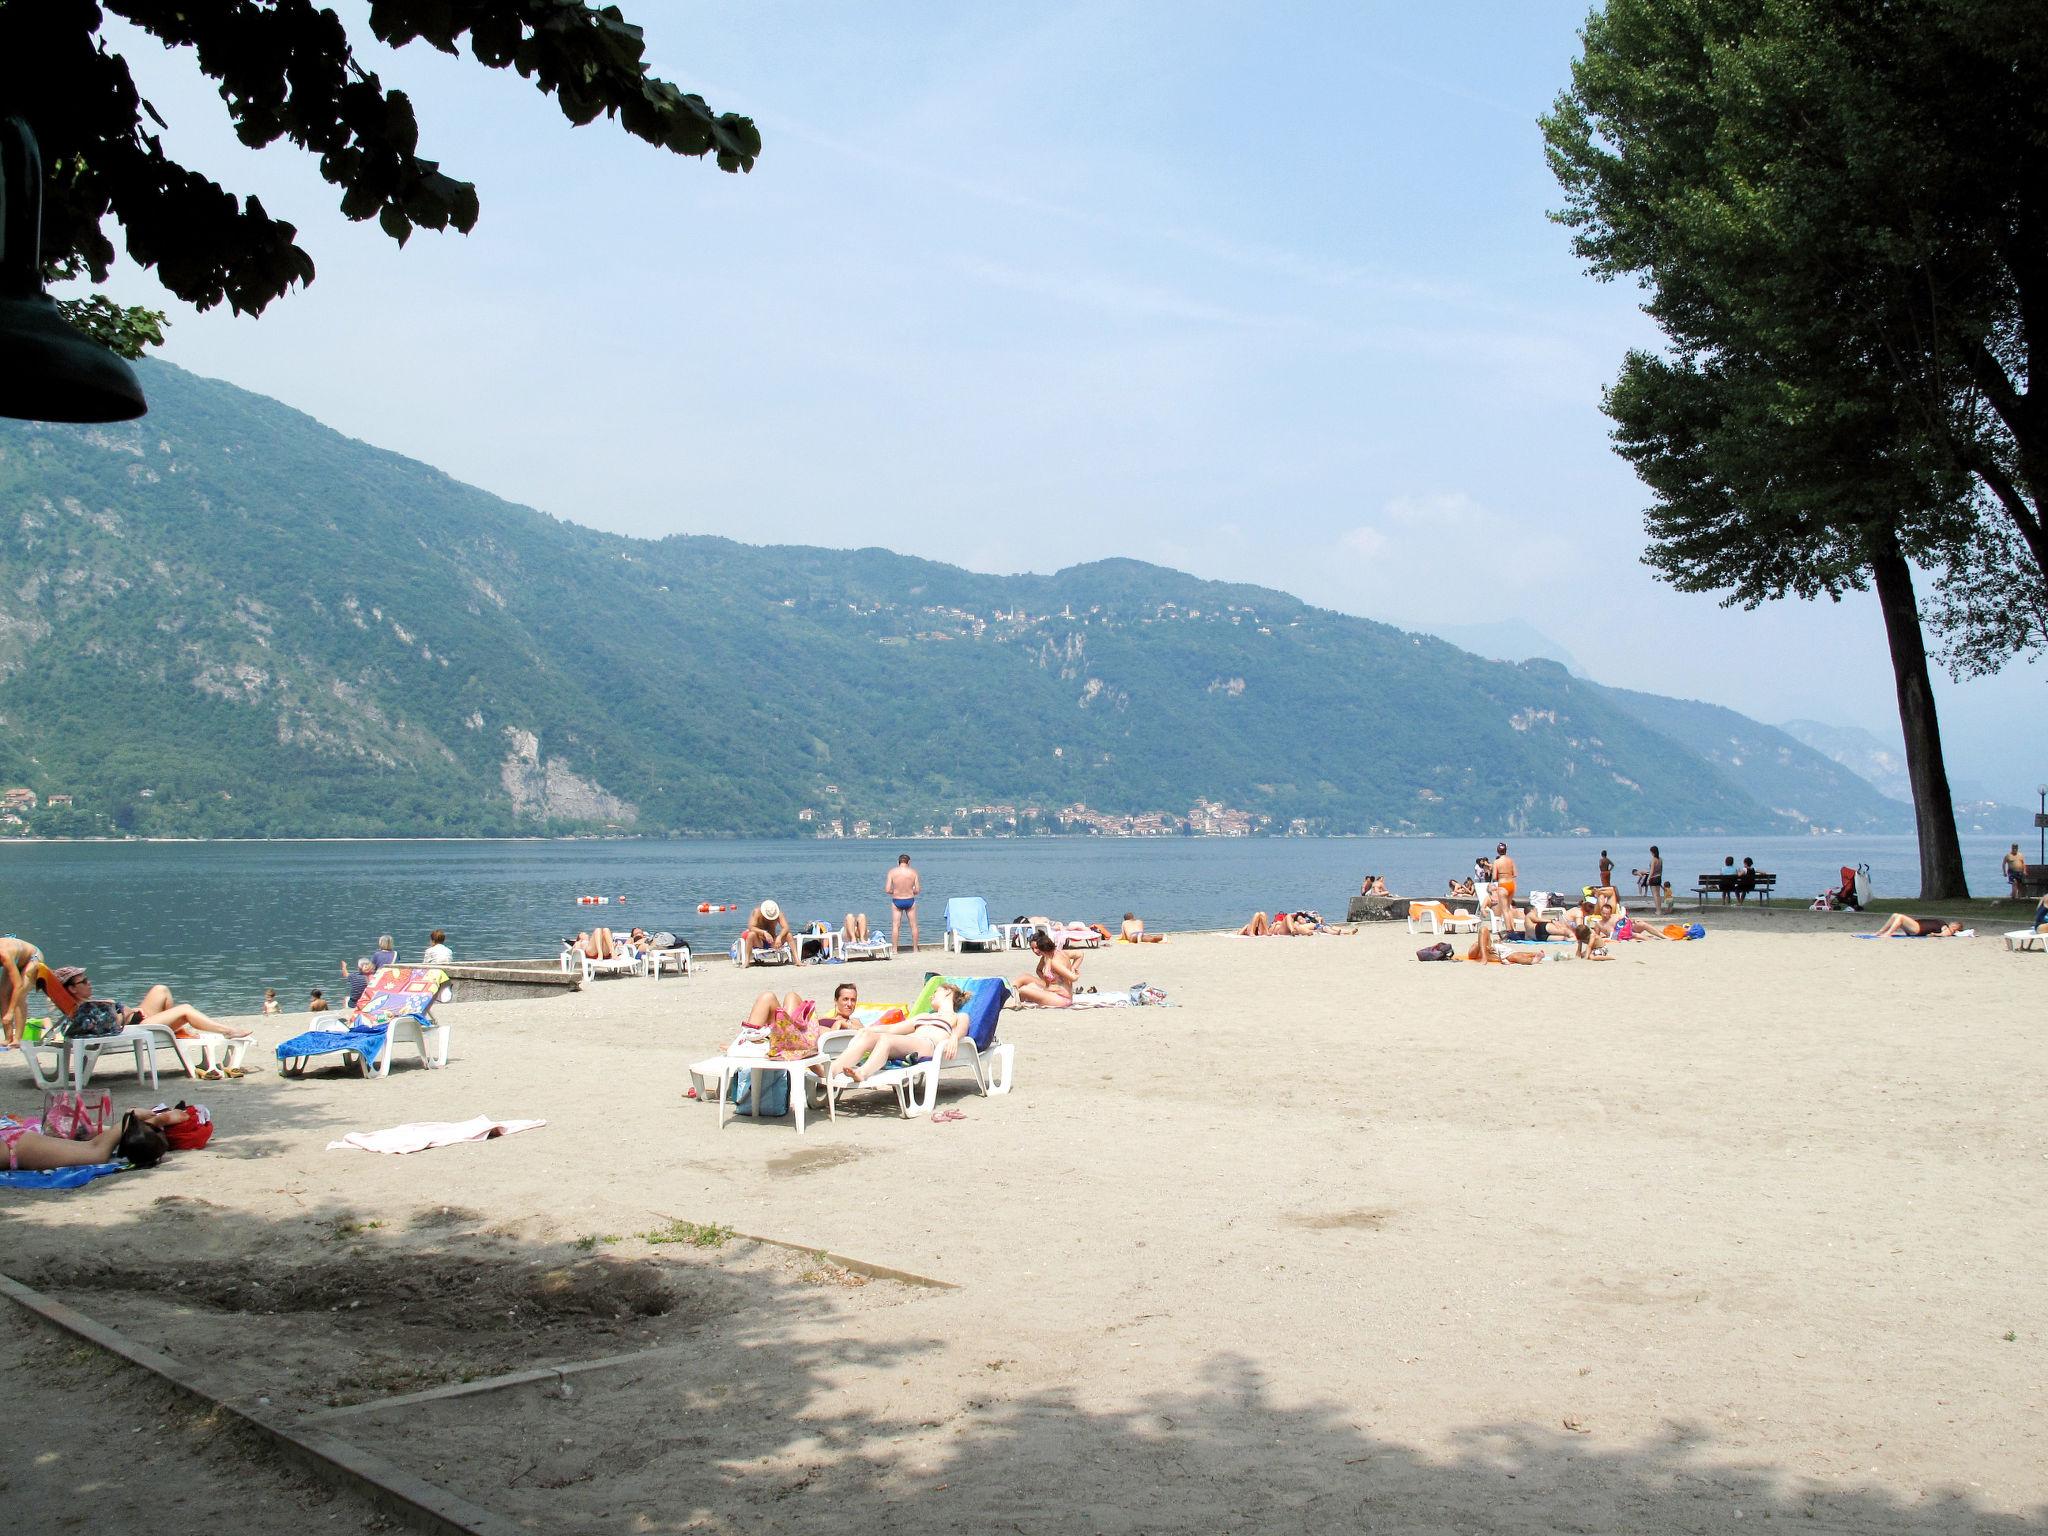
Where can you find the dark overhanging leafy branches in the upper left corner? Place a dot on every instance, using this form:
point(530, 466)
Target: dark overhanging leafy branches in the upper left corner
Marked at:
point(288, 71)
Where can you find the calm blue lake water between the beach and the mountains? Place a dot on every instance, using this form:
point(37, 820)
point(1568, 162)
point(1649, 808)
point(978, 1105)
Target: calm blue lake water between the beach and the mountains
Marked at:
point(220, 923)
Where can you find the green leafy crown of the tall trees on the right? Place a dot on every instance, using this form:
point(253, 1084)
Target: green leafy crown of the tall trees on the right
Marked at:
point(1840, 220)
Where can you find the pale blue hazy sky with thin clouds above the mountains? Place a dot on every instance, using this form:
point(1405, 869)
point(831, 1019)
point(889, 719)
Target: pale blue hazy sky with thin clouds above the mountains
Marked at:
point(1265, 294)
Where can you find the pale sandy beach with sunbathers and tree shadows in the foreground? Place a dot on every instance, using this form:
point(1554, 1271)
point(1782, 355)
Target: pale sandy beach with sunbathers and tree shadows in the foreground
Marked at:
point(1711, 1234)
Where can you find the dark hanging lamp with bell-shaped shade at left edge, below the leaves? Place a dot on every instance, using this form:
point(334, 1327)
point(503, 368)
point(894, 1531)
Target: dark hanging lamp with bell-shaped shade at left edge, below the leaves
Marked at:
point(48, 372)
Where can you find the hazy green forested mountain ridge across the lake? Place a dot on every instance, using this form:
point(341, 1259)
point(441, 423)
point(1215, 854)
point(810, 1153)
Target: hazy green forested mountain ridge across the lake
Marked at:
point(226, 620)
